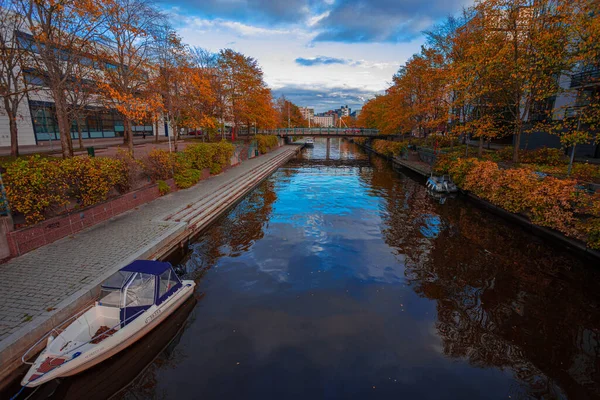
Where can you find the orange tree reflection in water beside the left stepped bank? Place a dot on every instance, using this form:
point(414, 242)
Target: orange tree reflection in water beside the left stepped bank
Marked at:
point(237, 231)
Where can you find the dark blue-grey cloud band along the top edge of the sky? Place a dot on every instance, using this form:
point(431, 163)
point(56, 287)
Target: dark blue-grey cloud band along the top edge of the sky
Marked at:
point(349, 21)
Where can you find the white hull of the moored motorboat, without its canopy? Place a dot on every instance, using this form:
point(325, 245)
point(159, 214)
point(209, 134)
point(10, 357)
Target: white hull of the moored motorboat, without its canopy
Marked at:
point(146, 322)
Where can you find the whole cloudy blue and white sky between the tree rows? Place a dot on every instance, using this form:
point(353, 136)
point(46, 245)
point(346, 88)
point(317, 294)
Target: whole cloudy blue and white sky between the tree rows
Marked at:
point(318, 53)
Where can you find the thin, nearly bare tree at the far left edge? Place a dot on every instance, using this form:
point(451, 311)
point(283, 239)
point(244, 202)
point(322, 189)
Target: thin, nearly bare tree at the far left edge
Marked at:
point(12, 80)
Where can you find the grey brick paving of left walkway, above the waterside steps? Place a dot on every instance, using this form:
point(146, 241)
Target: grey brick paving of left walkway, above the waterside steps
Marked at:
point(38, 284)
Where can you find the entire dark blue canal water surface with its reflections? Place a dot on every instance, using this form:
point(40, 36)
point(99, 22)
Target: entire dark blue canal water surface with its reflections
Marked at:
point(340, 277)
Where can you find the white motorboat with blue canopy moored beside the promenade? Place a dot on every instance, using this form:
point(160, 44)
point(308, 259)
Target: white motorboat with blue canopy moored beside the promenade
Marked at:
point(132, 302)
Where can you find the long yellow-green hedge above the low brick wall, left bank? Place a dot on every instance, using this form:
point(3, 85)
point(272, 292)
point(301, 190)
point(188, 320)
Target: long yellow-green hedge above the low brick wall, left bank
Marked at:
point(36, 186)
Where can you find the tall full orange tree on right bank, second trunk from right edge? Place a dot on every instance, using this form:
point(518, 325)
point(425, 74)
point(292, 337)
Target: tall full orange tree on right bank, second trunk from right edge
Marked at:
point(528, 53)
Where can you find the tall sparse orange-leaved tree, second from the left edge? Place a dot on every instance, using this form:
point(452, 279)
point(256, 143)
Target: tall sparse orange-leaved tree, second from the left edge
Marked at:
point(62, 34)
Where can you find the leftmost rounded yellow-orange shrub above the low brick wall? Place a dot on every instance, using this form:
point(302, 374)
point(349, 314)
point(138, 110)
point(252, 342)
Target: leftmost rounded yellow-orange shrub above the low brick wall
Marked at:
point(33, 186)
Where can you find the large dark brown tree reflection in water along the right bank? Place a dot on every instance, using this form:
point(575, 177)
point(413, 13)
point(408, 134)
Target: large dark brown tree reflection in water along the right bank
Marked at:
point(504, 298)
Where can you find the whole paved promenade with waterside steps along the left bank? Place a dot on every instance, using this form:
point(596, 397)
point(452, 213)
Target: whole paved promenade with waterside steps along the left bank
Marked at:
point(45, 286)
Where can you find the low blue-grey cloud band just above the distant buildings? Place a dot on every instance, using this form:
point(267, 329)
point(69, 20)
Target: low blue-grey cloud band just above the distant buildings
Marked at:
point(323, 98)
